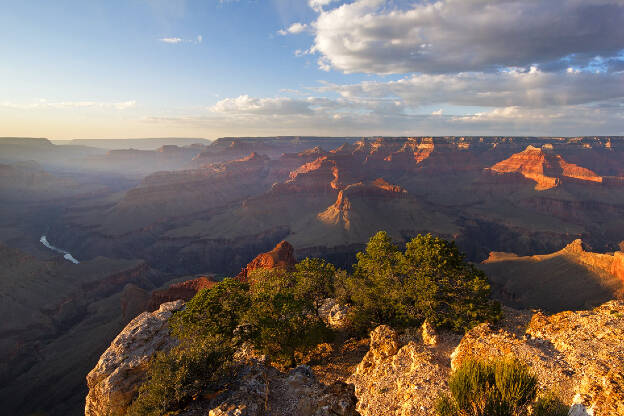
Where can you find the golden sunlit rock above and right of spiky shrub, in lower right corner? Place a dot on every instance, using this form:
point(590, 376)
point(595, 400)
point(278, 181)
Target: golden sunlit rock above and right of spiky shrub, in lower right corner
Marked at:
point(579, 355)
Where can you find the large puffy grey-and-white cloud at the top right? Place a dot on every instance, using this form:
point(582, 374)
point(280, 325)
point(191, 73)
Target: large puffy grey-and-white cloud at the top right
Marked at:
point(376, 36)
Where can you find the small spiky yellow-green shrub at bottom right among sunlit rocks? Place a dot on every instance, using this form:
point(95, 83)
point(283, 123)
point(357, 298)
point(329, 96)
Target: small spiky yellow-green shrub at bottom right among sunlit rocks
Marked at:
point(478, 388)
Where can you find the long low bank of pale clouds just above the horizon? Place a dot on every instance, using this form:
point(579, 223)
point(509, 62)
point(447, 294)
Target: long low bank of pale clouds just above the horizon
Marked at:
point(338, 117)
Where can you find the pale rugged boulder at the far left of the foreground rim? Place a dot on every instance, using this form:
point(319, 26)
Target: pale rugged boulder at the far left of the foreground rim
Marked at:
point(115, 380)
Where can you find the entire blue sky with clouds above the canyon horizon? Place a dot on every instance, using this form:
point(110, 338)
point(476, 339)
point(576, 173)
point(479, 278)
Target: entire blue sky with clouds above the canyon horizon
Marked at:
point(214, 68)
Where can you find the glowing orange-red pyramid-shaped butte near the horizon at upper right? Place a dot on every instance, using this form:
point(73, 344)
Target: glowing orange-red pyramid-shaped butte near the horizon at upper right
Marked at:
point(544, 167)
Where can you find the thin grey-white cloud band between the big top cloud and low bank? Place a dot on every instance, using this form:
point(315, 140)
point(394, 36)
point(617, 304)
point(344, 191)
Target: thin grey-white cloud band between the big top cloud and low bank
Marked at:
point(532, 88)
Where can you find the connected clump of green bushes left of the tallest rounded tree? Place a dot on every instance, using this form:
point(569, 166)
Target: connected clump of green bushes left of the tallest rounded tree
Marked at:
point(277, 313)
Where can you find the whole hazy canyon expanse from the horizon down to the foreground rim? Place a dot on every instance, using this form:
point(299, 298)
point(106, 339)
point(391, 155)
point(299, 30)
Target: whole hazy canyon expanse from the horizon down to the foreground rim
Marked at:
point(160, 223)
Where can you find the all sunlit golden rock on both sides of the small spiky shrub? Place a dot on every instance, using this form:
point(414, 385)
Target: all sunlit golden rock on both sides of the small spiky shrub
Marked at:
point(578, 355)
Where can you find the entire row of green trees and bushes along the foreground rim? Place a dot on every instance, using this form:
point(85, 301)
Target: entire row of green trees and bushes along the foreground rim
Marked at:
point(277, 312)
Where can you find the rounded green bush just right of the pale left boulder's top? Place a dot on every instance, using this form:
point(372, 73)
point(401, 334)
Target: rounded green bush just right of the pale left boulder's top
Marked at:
point(213, 312)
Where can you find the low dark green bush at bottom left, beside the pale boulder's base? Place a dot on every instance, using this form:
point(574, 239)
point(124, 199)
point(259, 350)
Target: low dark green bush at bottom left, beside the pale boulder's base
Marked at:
point(175, 377)
